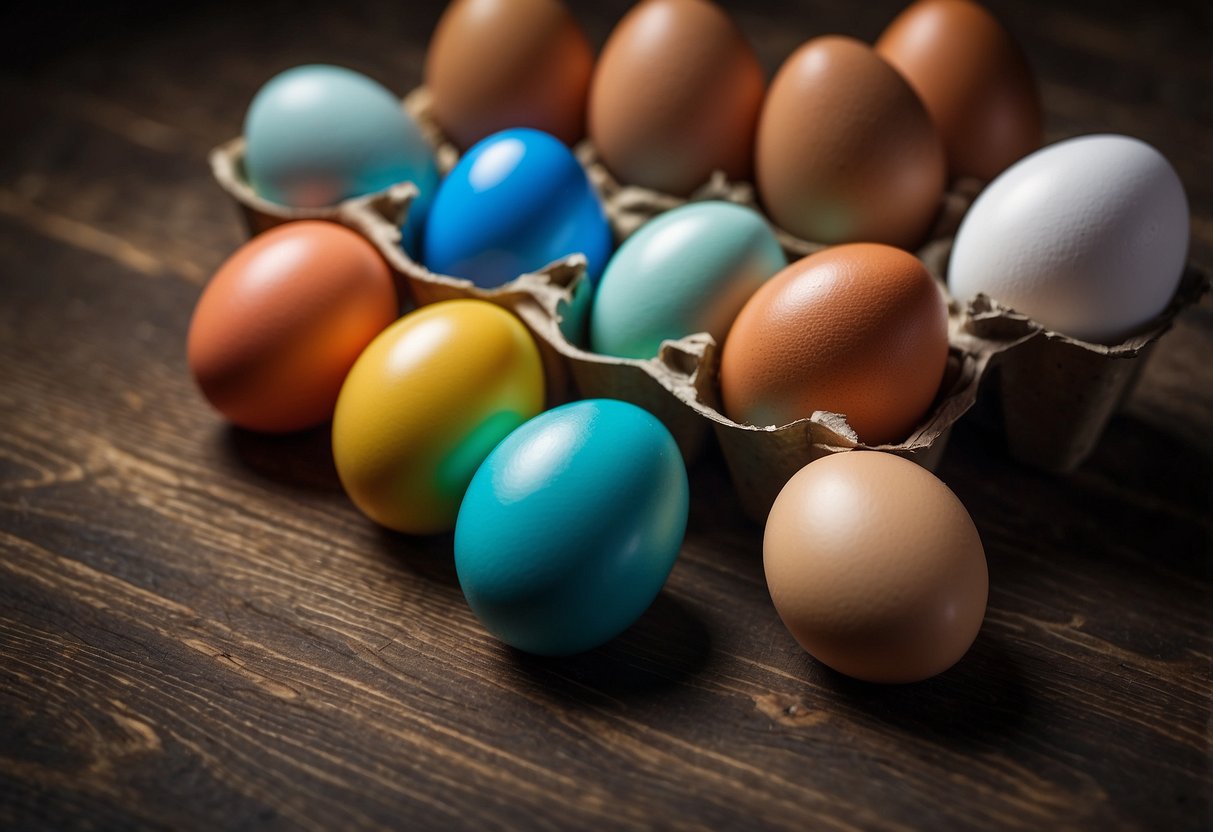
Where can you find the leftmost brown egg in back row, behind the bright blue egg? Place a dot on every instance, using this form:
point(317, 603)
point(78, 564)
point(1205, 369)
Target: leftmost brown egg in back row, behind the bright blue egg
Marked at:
point(509, 64)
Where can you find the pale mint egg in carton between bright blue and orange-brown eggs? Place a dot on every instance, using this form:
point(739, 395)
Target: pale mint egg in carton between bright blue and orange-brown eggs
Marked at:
point(691, 270)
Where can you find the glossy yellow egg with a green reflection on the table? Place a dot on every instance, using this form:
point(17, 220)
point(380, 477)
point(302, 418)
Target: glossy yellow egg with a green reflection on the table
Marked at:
point(426, 403)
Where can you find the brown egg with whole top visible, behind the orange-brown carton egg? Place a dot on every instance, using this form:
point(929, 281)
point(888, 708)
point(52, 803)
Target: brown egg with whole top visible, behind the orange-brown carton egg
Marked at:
point(846, 151)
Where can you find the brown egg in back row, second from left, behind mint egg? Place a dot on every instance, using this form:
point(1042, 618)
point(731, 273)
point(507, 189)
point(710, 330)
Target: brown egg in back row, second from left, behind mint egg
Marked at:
point(676, 96)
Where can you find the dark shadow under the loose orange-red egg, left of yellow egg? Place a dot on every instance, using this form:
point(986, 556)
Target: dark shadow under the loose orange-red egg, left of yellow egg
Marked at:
point(301, 460)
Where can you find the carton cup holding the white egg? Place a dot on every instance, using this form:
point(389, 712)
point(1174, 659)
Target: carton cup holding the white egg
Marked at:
point(1055, 395)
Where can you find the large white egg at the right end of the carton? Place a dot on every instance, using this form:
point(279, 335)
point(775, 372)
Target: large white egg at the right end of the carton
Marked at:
point(1089, 237)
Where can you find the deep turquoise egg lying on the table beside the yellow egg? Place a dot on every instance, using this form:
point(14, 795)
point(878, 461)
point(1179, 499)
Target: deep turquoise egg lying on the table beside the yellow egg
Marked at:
point(572, 526)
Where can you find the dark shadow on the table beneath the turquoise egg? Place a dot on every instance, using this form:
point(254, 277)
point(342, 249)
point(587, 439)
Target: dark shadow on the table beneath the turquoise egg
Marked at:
point(668, 646)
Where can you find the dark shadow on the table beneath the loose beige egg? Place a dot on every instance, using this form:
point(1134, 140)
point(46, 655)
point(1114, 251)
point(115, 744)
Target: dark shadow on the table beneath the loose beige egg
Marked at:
point(982, 699)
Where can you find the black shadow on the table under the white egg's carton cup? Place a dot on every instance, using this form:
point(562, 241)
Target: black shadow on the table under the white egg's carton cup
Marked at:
point(1142, 502)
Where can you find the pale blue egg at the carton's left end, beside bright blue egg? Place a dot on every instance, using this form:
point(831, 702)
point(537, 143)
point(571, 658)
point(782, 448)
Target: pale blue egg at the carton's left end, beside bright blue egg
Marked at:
point(317, 135)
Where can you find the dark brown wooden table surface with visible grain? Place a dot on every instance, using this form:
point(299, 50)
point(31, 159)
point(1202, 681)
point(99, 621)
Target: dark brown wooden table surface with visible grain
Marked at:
point(200, 631)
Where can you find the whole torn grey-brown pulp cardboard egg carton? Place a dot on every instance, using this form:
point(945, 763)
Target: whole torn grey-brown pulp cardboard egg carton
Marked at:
point(1057, 394)
